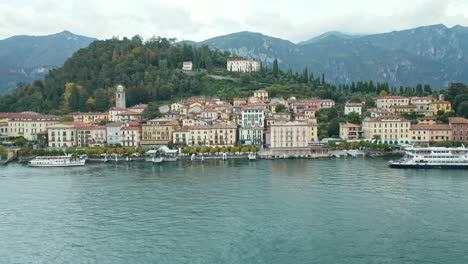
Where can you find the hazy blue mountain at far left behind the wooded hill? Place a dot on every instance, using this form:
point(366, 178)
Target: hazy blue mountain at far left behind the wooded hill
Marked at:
point(28, 58)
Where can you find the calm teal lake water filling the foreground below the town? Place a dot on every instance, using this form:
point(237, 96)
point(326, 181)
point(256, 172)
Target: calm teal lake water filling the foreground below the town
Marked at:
point(283, 211)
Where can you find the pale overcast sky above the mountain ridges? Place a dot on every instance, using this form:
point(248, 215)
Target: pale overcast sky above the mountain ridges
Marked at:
point(294, 20)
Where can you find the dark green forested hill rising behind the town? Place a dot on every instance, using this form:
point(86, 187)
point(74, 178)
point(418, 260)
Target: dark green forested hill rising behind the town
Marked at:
point(150, 71)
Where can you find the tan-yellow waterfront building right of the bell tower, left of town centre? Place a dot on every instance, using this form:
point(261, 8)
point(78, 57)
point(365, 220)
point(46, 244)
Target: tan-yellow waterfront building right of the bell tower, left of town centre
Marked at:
point(158, 131)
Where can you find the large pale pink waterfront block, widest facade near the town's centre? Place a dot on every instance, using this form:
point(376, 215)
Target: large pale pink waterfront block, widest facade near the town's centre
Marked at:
point(292, 134)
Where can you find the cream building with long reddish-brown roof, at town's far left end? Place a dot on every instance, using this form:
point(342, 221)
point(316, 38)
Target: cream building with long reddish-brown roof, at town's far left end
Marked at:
point(28, 124)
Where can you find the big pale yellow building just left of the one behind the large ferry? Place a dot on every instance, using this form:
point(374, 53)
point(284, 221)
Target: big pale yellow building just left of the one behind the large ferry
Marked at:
point(390, 129)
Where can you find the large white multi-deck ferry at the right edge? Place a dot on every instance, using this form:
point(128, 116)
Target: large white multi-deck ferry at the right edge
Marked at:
point(434, 157)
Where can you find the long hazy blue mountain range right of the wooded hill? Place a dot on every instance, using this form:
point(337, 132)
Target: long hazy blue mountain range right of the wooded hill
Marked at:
point(435, 55)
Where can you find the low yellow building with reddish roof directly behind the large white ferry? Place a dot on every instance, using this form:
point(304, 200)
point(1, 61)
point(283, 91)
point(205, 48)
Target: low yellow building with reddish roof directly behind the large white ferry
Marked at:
point(427, 134)
